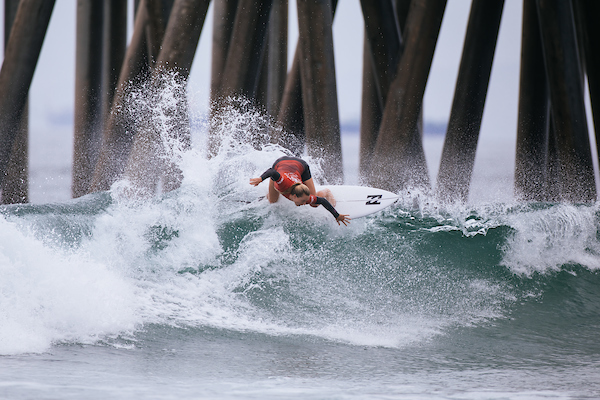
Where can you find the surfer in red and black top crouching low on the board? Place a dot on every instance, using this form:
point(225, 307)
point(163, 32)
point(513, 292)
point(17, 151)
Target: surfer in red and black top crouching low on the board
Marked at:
point(290, 177)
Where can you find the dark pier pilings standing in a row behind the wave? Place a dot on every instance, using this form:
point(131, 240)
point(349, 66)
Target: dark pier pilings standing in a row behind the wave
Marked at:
point(559, 67)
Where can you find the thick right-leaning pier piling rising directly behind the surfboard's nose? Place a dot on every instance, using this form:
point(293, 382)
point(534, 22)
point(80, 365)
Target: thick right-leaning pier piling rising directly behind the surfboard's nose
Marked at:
point(398, 157)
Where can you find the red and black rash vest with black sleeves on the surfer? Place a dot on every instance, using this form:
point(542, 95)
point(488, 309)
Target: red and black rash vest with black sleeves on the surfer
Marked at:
point(286, 172)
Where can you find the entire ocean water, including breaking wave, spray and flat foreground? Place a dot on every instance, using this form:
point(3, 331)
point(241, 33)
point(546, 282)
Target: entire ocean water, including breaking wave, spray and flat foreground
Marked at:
point(209, 292)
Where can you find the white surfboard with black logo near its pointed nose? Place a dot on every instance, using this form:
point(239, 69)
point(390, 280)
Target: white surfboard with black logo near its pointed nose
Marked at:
point(358, 201)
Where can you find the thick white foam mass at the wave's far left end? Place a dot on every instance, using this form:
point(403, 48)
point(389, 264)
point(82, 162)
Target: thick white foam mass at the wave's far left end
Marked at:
point(48, 295)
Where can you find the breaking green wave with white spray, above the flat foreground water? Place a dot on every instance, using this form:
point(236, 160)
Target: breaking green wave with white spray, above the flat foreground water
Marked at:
point(214, 254)
